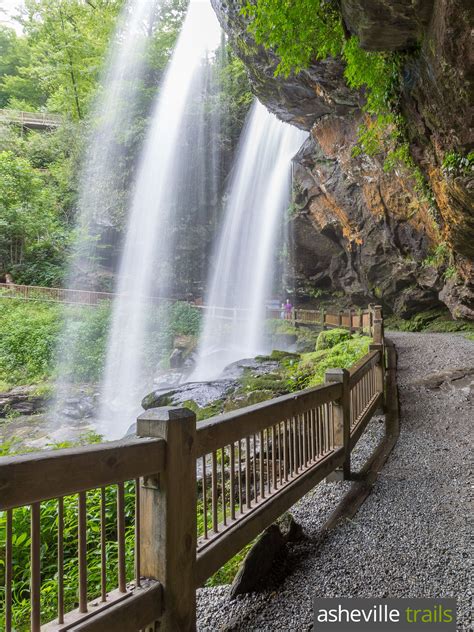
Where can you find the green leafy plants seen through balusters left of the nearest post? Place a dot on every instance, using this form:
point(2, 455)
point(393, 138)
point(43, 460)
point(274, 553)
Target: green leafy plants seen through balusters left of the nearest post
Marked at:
point(49, 533)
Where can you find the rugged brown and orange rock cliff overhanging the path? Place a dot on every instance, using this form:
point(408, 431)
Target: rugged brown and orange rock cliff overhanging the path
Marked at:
point(358, 229)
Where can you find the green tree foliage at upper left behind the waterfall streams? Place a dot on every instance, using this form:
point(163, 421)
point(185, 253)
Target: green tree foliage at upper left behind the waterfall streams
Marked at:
point(57, 64)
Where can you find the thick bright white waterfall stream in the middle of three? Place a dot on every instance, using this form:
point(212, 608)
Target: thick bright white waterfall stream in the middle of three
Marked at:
point(152, 230)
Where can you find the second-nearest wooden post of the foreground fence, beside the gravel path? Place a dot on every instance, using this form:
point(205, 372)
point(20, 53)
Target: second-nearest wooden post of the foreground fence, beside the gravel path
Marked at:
point(342, 420)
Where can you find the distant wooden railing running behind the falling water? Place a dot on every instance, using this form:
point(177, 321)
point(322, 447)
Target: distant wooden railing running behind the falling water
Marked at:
point(355, 320)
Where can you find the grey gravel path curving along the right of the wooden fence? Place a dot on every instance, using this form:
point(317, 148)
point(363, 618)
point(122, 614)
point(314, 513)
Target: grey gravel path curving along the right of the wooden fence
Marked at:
point(411, 536)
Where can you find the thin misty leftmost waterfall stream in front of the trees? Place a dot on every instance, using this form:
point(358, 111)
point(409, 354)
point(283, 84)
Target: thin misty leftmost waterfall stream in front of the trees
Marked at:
point(114, 111)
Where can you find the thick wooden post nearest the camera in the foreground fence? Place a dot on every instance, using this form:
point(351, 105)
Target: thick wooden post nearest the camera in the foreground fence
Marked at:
point(168, 516)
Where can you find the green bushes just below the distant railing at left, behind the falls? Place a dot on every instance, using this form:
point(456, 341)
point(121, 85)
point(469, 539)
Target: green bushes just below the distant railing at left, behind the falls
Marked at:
point(31, 333)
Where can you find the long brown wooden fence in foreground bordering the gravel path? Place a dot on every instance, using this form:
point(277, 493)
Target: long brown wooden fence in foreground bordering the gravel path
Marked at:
point(200, 494)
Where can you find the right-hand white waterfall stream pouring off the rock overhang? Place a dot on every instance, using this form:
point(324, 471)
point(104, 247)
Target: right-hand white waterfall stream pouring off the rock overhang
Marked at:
point(248, 246)
